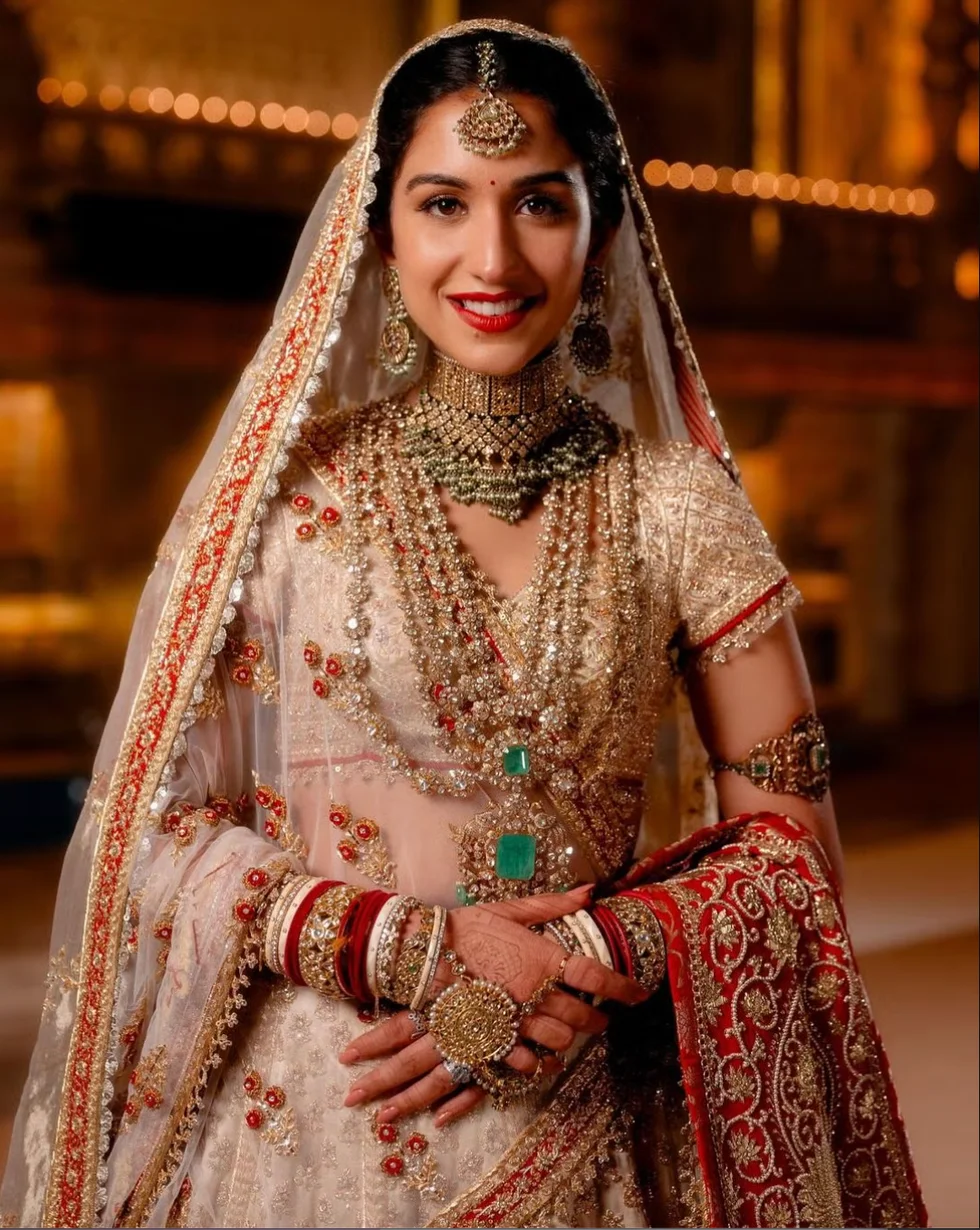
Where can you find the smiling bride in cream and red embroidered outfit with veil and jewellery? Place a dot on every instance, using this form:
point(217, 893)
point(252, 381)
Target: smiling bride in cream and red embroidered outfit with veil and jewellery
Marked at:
point(384, 908)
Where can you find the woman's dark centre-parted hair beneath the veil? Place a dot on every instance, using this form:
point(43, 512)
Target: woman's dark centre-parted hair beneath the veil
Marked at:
point(524, 67)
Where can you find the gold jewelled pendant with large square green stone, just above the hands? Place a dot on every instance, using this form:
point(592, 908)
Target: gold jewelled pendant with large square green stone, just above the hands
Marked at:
point(513, 849)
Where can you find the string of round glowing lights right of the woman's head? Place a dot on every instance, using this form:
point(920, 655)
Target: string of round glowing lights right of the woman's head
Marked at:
point(802, 190)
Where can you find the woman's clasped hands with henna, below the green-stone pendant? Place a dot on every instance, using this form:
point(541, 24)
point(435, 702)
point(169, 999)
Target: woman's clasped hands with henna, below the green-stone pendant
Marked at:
point(495, 943)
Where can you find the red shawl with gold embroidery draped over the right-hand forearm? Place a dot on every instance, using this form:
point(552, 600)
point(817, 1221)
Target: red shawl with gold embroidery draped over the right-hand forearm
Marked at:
point(788, 1115)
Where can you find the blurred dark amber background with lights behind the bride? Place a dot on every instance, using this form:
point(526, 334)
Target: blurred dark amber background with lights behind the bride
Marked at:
point(812, 167)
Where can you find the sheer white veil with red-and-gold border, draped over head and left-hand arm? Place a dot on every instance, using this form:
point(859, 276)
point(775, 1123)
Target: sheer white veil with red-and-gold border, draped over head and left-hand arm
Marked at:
point(79, 1157)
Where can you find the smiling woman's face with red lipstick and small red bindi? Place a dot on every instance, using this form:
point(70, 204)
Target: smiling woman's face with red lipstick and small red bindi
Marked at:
point(490, 252)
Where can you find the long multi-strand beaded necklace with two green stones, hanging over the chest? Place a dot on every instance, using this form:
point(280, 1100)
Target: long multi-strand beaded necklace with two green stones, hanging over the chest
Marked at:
point(507, 723)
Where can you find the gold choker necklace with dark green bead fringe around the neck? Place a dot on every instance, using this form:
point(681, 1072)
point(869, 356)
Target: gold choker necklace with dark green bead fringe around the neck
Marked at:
point(501, 441)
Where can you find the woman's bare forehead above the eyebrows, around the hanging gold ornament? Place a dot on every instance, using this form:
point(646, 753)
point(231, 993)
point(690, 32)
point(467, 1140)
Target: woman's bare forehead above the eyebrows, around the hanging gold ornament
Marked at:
point(436, 147)
